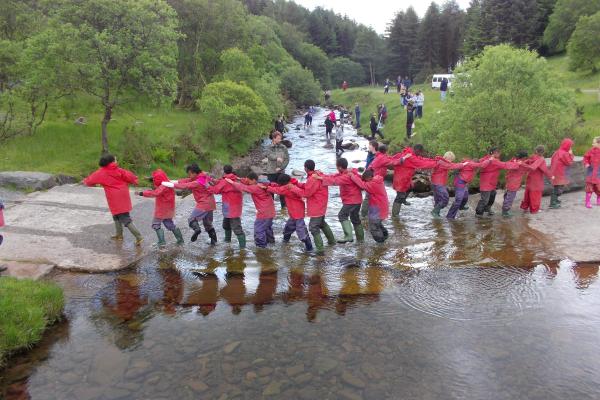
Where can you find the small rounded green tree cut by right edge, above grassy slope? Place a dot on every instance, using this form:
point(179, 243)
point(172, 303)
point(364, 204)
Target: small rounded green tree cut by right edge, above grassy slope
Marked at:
point(584, 45)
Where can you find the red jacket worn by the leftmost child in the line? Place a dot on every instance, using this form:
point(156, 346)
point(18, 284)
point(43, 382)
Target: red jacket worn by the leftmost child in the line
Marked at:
point(115, 182)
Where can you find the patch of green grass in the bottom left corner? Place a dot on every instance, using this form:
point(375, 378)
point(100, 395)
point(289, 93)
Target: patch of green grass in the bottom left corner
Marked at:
point(27, 308)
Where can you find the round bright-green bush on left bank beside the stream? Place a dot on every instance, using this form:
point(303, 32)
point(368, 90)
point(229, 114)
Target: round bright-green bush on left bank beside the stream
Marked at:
point(237, 116)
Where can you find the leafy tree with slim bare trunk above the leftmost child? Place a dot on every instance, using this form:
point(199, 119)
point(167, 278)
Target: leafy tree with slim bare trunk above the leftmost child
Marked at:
point(122, 49)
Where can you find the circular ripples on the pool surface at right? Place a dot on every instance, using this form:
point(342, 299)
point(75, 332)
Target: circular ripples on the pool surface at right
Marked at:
point(481, 294)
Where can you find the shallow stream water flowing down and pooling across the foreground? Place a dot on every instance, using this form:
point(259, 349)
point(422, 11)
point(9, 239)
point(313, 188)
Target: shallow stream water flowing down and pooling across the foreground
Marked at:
point(469, 309)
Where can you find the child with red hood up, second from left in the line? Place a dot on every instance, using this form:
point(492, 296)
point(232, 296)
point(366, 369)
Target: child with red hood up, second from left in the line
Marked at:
point(164, 207)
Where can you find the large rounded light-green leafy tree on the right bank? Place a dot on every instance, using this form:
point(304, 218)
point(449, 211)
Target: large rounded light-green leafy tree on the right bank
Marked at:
point(502, 98)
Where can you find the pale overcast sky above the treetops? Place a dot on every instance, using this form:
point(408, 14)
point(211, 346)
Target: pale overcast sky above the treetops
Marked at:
point(373, 13)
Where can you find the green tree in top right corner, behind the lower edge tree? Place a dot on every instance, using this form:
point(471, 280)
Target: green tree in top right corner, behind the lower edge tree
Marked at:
point(563, 20)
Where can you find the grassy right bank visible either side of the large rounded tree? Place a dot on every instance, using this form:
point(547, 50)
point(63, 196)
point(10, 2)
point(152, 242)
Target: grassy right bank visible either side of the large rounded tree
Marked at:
point(588, 105)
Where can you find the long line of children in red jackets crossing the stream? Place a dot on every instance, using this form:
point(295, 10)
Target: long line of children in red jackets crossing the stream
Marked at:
point(310, 198)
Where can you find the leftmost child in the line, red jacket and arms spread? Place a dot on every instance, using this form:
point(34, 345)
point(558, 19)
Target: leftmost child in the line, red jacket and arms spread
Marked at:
point(115, 182)
